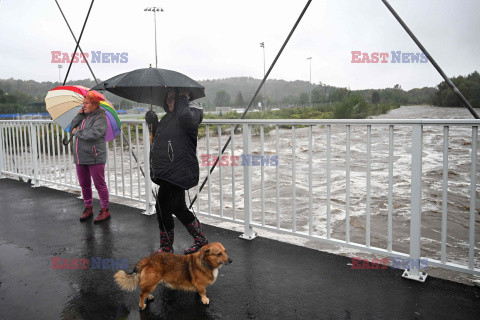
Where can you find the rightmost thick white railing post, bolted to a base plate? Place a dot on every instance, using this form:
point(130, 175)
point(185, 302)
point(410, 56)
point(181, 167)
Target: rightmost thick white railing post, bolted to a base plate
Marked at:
point(416, 206)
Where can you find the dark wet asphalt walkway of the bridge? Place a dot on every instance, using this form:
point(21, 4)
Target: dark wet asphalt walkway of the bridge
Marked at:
point(267, 279)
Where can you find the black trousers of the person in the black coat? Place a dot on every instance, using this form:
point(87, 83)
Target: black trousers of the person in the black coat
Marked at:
point(171, 201)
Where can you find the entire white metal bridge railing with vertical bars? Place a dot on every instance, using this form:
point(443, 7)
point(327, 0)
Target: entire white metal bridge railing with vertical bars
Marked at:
point(374, 185)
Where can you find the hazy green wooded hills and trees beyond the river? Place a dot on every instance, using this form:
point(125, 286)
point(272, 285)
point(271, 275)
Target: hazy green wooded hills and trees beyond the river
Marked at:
point(27, 96)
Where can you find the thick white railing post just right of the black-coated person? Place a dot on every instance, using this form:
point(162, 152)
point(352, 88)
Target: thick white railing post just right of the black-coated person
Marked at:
point(248, 233)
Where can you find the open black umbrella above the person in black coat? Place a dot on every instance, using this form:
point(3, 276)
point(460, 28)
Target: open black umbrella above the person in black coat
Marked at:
point(150, 85)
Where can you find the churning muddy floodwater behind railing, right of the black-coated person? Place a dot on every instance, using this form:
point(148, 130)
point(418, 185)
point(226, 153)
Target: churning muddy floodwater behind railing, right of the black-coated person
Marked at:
point(294, 203)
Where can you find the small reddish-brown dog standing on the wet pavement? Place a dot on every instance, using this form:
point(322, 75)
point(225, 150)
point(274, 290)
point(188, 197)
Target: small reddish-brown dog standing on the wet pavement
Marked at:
point(193, 272)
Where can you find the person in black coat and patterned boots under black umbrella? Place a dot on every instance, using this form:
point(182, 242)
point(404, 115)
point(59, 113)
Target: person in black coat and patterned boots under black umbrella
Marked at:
point(174, 166)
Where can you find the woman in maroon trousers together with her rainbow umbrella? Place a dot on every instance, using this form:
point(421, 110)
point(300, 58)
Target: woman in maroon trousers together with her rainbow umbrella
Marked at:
point(93, 123)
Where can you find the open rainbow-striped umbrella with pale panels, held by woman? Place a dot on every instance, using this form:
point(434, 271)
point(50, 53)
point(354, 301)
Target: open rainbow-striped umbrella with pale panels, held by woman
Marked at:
point(64, 102)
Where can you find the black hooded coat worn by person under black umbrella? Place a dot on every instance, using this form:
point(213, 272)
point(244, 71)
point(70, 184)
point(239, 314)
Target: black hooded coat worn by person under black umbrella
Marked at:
point(173, 155)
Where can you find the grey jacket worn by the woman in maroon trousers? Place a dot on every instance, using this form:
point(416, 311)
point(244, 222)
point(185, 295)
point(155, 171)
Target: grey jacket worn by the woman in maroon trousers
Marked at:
point(89, 146)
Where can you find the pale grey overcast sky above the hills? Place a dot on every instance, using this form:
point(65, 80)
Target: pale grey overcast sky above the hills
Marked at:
point(213, 39)
